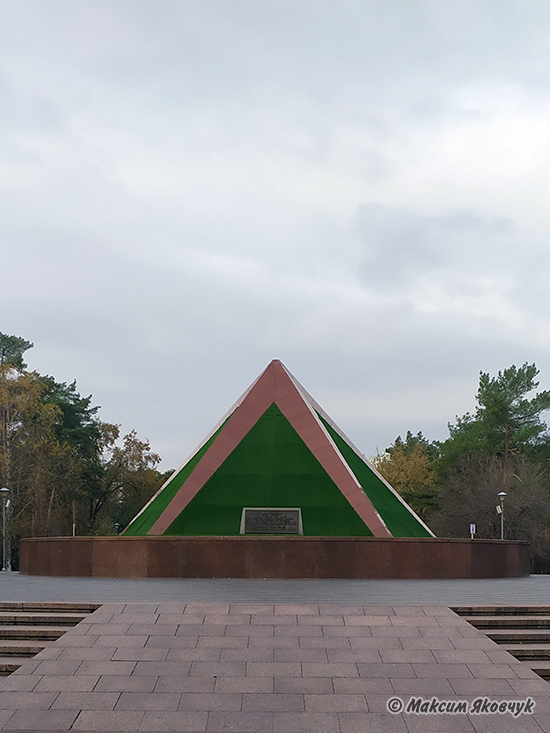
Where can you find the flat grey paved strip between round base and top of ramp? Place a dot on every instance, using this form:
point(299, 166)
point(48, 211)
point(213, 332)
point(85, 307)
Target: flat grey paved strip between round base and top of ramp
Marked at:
point(534, 589)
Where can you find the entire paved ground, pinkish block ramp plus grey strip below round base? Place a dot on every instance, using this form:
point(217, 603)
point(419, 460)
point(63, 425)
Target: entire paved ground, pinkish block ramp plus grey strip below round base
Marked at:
point(273, 656)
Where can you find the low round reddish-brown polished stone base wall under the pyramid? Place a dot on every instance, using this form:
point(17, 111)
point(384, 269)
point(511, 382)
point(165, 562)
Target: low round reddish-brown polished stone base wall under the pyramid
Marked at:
point(273, 557)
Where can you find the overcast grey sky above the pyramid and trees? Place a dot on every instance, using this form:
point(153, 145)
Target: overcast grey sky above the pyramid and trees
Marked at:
point(360, 188)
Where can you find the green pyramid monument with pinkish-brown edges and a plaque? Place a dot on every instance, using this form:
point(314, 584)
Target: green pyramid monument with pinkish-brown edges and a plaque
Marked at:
point(277, 453)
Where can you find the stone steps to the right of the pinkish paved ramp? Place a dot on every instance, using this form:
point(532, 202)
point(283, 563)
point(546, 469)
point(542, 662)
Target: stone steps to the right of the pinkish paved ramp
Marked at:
point(523, 631)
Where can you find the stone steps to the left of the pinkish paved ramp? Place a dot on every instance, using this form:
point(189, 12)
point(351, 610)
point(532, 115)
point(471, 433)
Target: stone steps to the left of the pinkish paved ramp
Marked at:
point(27, 628)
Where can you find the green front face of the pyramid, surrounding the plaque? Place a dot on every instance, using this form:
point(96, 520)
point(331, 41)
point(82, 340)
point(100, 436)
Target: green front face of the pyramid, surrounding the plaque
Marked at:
point(271, 467)
